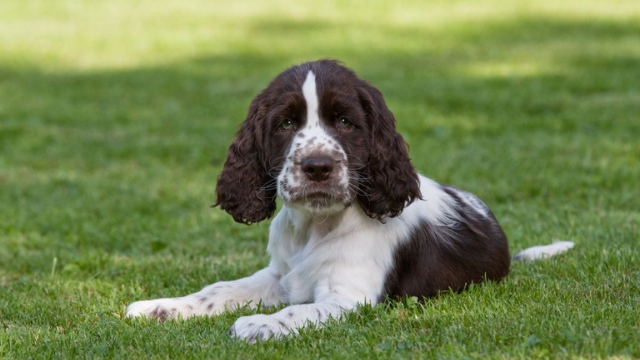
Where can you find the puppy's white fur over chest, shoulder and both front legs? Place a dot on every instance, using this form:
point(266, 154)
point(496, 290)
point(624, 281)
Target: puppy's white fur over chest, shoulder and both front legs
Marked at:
point(322, 266)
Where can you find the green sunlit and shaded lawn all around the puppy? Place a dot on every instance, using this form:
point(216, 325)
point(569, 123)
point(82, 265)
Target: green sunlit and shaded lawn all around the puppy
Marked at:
point(115, 117)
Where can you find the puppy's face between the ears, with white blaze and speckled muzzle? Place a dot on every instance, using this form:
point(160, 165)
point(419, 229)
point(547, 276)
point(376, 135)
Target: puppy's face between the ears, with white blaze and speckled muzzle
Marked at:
point(316, 174)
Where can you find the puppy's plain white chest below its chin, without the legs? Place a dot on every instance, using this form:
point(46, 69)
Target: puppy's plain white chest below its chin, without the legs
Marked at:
point(354, 254)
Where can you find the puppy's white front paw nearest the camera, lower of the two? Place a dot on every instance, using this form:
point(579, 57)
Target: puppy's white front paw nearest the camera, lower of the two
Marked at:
point(259, 328)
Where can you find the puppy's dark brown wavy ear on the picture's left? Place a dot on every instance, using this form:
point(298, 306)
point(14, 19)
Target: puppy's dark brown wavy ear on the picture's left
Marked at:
point(242, 189)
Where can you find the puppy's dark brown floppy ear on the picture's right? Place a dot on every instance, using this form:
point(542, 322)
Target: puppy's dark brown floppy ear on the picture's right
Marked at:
point(391, 182)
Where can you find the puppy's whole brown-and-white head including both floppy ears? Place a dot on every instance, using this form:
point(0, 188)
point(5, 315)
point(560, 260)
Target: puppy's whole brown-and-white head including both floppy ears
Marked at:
point(321, 139)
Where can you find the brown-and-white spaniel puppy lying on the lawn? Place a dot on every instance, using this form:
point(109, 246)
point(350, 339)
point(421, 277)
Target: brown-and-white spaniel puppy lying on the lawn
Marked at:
point(358, 223)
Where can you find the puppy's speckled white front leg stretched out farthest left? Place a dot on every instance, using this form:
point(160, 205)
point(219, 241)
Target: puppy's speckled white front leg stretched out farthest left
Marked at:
point(262, 287)
